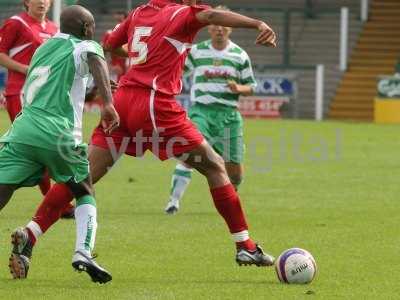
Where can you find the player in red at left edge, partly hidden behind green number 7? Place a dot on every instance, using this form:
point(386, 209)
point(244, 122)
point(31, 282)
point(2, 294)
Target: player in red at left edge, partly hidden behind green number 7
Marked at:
point(20, 36)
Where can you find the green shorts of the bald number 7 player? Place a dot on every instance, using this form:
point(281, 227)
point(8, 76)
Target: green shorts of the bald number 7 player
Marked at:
point(24, 165)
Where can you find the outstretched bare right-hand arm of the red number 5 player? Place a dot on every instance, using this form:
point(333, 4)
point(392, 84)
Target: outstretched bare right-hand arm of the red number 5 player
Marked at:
point(266, 37)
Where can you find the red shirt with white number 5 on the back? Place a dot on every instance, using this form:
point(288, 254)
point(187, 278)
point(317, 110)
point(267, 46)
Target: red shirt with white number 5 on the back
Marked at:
point(159, 36)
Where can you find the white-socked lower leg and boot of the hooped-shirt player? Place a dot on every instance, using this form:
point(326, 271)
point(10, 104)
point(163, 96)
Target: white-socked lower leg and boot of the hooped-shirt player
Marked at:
point(179, 183)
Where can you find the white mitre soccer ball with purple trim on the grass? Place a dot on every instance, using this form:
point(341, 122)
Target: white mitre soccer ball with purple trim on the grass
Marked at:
point(296, 265)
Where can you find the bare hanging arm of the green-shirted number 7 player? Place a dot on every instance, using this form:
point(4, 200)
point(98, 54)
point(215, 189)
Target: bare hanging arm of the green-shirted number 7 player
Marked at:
point(98, 68)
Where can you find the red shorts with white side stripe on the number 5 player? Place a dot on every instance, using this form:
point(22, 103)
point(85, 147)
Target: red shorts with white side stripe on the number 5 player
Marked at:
point(149, 121)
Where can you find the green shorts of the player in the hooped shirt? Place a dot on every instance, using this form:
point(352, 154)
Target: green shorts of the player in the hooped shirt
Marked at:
point(222, 126)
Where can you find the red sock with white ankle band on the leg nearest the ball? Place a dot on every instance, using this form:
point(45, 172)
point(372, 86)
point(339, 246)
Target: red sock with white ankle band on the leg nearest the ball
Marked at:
point(227, 202)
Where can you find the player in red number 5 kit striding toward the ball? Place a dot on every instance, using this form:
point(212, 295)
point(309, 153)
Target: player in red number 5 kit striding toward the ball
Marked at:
point(159, 35)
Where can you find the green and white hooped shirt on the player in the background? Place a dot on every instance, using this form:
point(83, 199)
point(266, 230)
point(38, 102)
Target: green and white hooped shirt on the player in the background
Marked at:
point(212, 69)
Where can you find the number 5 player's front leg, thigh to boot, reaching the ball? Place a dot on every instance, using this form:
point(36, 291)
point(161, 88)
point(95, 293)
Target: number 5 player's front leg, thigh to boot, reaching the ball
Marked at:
point(211, 165)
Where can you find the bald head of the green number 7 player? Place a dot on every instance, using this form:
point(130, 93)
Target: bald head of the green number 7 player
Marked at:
point(78, 21)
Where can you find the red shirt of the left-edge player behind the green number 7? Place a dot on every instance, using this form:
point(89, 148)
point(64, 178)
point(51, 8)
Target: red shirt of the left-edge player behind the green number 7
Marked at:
point(20, 36)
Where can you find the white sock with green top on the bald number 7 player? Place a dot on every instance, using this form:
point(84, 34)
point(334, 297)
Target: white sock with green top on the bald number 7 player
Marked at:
point(86, 224)
